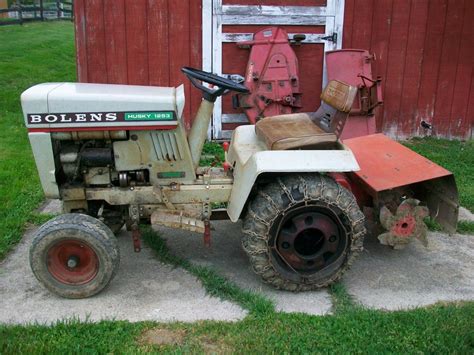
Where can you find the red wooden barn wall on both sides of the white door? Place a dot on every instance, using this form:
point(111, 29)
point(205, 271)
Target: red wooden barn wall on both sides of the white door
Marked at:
point(424, 49)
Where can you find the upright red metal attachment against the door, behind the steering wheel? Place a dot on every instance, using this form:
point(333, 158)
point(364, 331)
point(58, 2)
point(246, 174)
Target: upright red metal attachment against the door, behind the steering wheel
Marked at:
point(272, 76)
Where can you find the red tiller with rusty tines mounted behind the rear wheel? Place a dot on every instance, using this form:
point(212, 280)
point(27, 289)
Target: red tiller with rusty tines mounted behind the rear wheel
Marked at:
point(395, 179)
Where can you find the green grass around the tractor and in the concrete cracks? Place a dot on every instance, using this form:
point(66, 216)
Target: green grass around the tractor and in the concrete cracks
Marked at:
point(36, 53)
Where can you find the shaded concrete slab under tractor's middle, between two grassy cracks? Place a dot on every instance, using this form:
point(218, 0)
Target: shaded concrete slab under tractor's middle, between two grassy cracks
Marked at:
point(228, 258)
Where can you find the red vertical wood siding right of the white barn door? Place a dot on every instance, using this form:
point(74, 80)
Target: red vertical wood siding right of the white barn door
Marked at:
point(425, 55)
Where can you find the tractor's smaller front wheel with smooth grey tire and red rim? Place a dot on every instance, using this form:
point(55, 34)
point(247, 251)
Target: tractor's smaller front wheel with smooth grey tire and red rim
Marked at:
point(74, 255)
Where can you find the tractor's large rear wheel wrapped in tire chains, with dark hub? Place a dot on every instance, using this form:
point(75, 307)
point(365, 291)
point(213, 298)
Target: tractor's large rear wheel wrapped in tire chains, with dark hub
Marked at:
point(302, 232)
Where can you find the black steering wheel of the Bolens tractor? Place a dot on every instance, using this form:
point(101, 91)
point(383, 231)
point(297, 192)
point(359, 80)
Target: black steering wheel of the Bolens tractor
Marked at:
point(223, 85)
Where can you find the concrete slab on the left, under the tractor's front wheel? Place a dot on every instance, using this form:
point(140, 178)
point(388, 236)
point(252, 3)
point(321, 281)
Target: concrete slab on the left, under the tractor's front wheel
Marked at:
point(144, 289)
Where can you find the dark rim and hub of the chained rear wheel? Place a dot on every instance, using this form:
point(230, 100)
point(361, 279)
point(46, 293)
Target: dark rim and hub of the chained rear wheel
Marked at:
point(309, 239)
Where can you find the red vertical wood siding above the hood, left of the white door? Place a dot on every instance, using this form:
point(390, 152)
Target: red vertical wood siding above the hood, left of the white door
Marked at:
point(139, 42)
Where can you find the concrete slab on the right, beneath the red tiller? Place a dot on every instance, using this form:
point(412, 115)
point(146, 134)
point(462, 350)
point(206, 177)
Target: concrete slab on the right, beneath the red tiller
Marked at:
point(388, 279)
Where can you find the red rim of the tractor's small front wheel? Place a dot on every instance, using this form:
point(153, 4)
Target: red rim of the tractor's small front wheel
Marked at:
point(72, 262)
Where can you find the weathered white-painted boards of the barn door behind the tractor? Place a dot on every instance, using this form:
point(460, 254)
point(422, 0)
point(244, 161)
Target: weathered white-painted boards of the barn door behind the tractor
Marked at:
point(216, 15)
